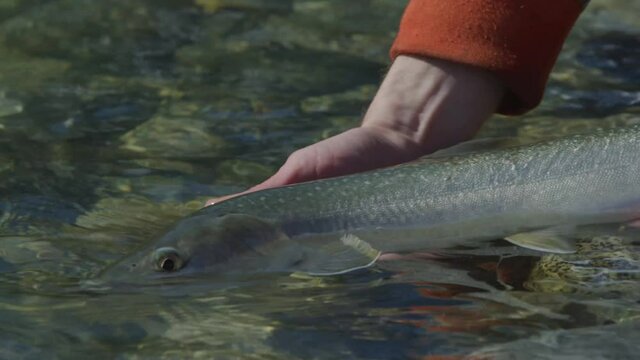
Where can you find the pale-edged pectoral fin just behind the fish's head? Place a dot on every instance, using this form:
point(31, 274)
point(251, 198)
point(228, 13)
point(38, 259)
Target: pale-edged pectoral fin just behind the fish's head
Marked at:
point(339, 257)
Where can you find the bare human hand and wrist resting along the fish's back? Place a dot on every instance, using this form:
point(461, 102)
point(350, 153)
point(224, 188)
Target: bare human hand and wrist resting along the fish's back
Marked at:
point(422, 105)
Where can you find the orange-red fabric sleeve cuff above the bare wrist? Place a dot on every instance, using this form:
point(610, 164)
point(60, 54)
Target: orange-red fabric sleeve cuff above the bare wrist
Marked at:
point(518, 40)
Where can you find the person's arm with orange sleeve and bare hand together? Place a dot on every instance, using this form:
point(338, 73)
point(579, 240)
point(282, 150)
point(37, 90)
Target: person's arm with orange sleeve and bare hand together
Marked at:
point(497, 57)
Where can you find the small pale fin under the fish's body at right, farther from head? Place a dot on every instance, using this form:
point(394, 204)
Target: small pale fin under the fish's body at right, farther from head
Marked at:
point(554, 240)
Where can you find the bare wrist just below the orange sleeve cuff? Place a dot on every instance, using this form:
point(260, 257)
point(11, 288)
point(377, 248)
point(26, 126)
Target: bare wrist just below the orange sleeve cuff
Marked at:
point(429, 104)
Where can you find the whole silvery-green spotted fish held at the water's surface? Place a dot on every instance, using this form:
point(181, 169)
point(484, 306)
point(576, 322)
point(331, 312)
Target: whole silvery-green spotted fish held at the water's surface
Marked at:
point(528, 194)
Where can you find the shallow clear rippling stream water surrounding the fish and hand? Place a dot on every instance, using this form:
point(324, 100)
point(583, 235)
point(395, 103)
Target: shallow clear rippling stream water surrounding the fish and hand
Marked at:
point(117, 118)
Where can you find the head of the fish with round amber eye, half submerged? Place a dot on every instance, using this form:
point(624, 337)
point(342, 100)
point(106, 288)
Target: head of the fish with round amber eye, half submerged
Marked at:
point(202, 244)
